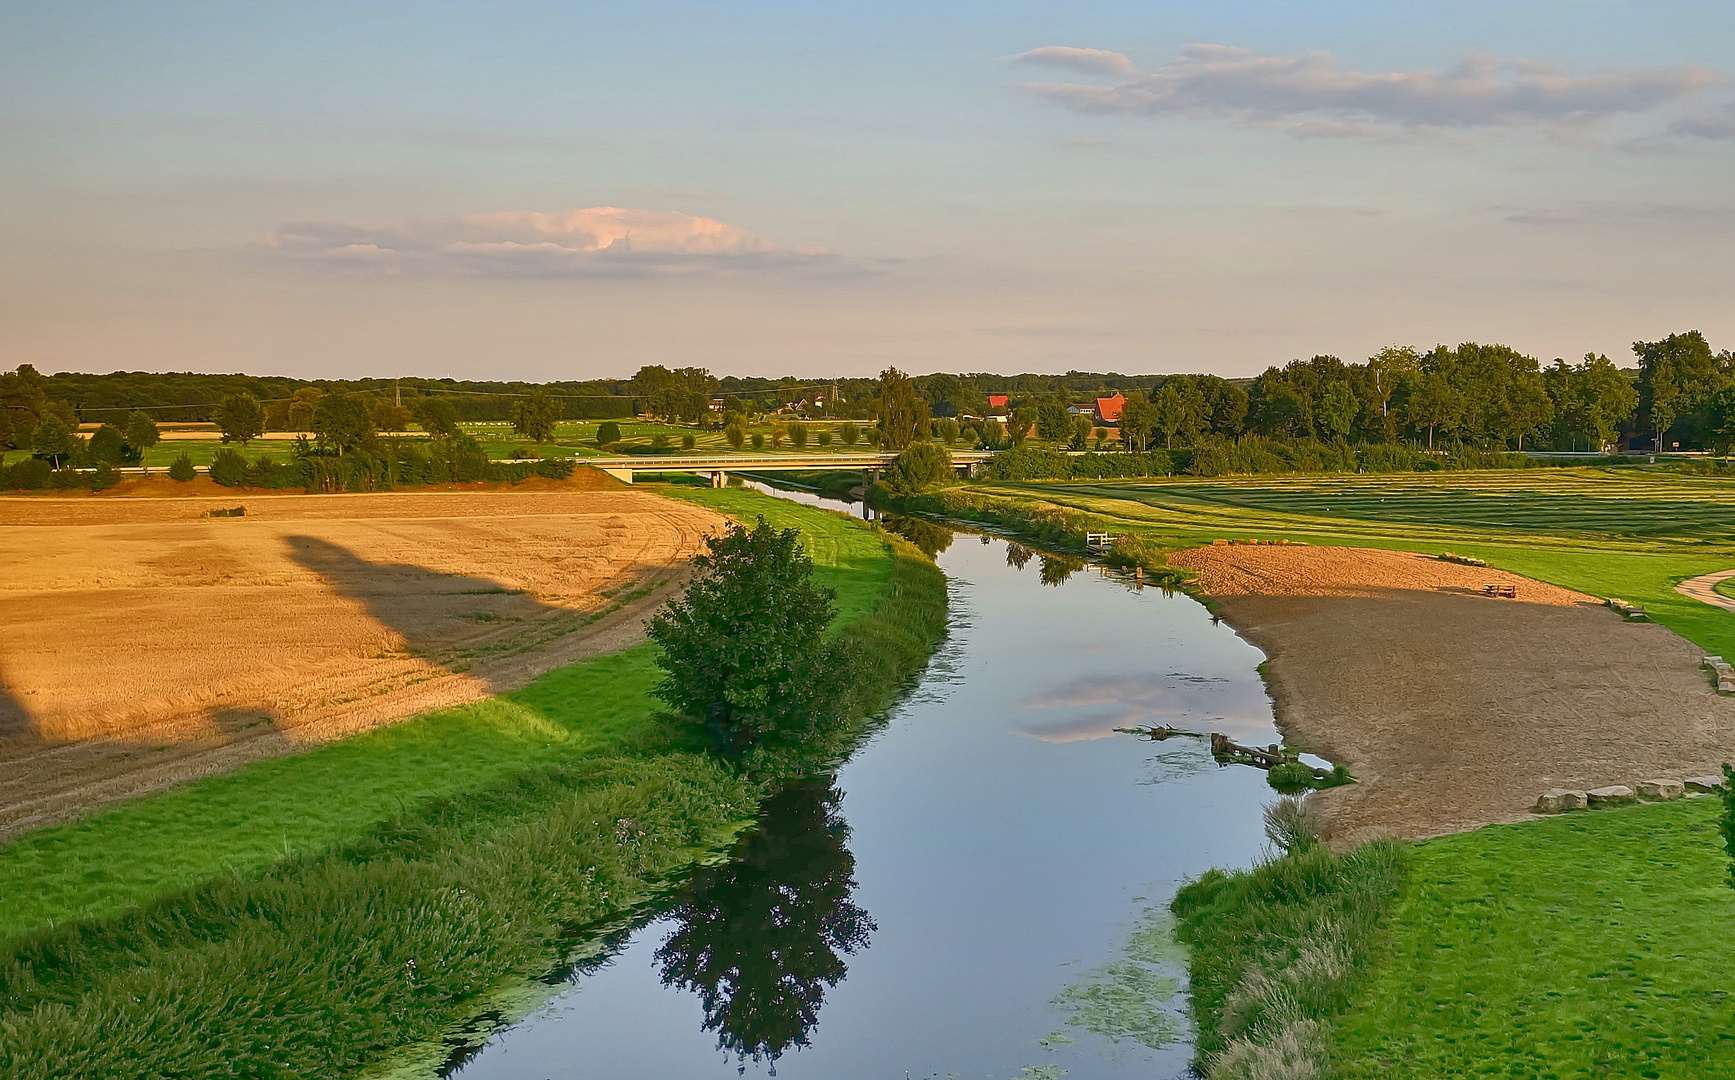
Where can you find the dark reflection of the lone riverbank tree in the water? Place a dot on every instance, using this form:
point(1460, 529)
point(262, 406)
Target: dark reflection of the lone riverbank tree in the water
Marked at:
point(763, 938)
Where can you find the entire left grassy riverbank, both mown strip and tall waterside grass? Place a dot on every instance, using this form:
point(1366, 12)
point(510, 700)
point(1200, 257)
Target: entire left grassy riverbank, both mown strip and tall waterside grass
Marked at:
point(429, 862)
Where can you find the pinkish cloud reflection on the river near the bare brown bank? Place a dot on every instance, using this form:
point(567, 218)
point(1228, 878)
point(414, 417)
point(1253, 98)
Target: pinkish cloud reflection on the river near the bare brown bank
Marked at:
point(1092, 708)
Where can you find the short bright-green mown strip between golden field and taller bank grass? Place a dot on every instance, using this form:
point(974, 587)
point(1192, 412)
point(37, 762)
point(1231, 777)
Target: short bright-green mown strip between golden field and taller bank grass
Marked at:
point(251, 819)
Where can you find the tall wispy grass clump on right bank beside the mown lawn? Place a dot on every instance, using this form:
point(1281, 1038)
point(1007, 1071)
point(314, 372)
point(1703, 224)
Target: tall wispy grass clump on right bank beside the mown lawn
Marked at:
point(1278, 951)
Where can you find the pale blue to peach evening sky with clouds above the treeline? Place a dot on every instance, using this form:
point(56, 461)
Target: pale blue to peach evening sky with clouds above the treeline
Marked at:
point(575, 190)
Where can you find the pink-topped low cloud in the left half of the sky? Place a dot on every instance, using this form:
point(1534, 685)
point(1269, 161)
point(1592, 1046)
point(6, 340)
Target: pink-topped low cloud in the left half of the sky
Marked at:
point(591, 242)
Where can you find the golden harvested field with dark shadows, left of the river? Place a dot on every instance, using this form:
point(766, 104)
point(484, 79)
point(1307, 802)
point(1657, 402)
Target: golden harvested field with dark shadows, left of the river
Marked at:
point(145, 642)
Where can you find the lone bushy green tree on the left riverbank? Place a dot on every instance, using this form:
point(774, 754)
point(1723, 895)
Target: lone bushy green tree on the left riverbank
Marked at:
point(743, 652)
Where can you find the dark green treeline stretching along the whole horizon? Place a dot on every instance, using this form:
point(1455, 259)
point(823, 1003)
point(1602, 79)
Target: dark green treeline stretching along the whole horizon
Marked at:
point(1680, 395)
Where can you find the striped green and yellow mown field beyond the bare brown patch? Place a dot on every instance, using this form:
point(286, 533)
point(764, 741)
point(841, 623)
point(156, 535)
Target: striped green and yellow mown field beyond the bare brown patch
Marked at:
point(1607, 532)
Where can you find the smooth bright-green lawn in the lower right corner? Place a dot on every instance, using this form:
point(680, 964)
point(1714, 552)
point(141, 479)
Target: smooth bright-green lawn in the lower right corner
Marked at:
point(1588, 945)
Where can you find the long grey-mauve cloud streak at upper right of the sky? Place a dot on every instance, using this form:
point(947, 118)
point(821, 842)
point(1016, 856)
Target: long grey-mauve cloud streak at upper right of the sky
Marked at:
point(1311, 95)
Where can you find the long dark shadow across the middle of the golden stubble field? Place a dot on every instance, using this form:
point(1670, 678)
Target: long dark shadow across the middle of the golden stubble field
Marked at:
point(419, 603)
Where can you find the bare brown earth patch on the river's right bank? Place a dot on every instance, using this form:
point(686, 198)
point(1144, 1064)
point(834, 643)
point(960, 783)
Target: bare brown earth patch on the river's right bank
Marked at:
point(1451, 708)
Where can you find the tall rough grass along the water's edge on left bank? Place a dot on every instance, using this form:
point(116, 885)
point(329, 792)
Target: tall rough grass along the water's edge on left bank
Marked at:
point(329, 963)
